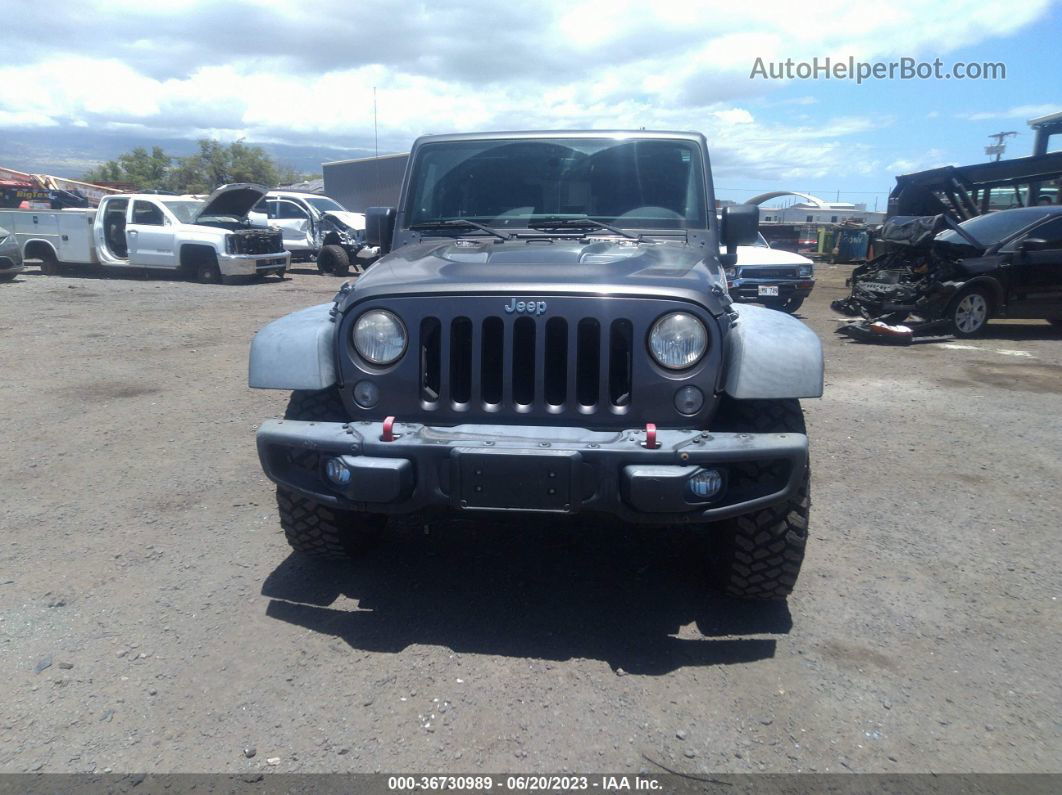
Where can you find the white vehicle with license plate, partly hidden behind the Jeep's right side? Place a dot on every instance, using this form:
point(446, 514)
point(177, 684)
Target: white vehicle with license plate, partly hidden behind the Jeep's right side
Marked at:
point(777, 279)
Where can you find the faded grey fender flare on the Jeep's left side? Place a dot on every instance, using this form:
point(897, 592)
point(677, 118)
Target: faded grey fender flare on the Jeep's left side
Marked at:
point(296, 352)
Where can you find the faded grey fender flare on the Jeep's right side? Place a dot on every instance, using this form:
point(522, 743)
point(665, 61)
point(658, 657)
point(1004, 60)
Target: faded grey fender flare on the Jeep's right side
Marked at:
point(770, 355)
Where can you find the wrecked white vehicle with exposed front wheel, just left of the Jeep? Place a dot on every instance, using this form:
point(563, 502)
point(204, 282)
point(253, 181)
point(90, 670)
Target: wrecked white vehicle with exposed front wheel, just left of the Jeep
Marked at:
point(317, 227)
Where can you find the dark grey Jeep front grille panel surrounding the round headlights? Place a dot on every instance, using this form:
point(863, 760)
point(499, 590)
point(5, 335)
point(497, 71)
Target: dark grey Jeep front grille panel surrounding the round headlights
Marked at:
point(579, 361)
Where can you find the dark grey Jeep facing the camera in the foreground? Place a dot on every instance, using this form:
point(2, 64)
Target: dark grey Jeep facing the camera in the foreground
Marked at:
point(549, 332)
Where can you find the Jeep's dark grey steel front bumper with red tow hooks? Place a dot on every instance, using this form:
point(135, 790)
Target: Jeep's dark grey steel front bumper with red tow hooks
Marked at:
point(533, 469)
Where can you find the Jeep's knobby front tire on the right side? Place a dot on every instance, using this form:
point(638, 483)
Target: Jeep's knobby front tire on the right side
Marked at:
point(759, 556)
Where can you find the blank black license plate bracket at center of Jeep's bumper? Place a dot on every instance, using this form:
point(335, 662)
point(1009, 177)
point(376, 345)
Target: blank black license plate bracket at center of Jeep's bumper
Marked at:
point(515, 480)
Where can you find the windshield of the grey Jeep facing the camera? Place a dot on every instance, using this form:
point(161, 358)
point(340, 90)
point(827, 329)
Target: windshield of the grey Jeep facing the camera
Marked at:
point(641, 184)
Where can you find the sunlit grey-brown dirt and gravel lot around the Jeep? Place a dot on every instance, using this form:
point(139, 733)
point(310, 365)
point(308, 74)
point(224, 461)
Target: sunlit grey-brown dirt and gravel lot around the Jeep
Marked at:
point(152, 619)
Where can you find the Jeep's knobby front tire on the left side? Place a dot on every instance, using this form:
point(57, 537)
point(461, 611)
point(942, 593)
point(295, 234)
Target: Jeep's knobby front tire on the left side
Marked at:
point(311, 528)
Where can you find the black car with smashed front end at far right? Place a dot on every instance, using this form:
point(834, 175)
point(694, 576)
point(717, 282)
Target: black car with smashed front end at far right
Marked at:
point(957, 278)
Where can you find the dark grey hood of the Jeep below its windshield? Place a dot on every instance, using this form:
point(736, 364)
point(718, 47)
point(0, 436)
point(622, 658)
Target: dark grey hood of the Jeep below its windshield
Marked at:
point(547, 267)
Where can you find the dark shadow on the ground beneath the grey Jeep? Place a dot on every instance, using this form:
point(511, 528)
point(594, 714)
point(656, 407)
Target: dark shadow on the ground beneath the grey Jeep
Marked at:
point(632, 597)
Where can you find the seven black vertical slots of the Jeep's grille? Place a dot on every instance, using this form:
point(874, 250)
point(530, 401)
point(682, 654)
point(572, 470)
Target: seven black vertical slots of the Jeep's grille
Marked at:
point(526, 362)
